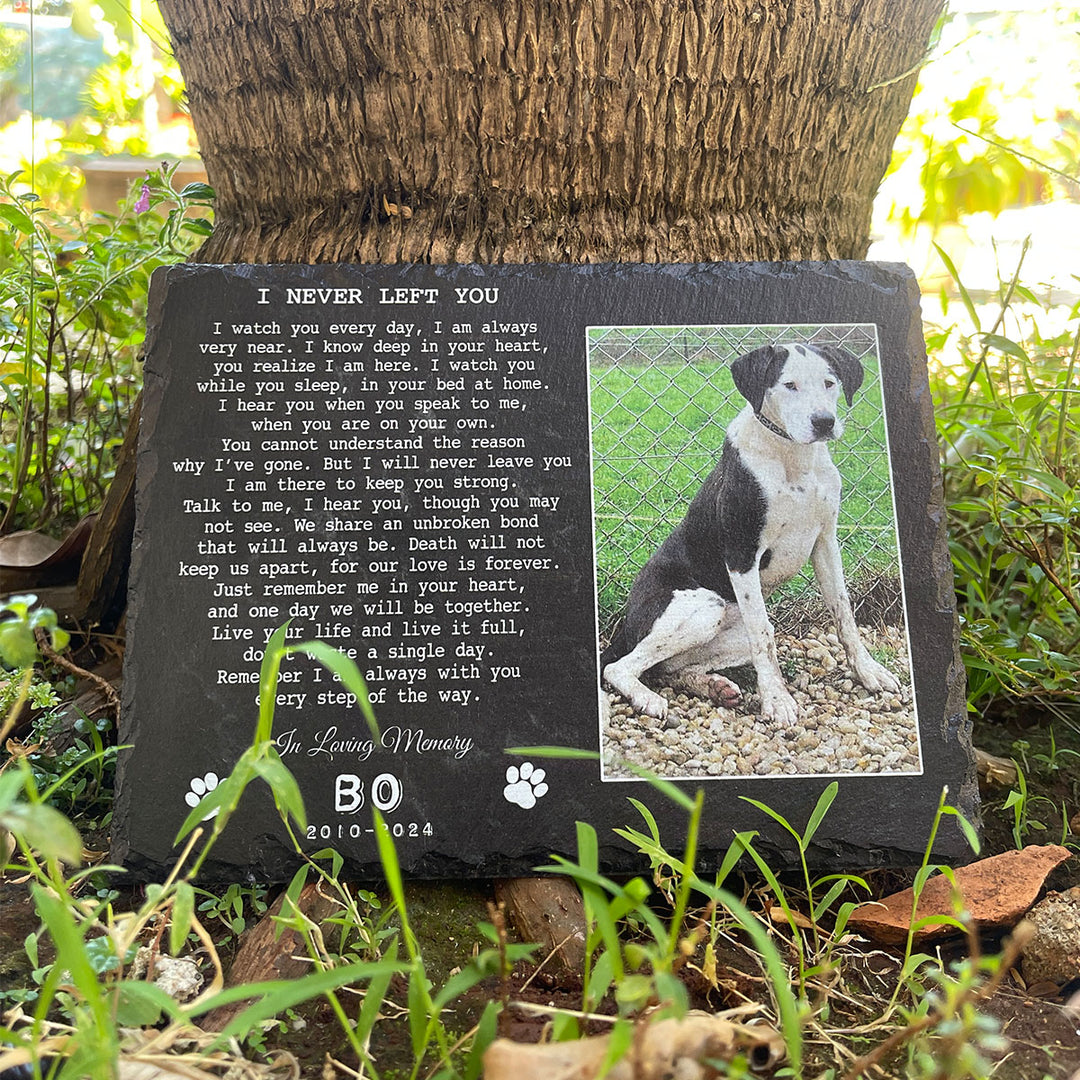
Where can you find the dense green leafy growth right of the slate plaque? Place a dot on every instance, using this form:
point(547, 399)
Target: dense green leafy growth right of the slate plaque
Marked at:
point(1010, 424)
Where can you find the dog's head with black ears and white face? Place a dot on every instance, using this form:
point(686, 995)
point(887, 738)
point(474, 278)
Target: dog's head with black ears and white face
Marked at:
point(796, 388)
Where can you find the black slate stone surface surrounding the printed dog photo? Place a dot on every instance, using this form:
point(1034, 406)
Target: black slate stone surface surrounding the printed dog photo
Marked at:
point(185, 717)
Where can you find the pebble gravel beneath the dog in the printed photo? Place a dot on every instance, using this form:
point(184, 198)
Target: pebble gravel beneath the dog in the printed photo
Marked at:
point(843, 728)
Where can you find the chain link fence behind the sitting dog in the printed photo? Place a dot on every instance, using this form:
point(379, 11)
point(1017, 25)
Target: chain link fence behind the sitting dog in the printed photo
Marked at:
point(661, 400)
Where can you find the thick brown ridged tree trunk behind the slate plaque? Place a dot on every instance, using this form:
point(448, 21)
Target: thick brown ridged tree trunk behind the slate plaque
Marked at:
point(451, 131)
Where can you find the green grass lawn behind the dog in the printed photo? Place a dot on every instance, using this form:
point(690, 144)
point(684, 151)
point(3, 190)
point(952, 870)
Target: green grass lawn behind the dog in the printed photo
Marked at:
point(658, 429)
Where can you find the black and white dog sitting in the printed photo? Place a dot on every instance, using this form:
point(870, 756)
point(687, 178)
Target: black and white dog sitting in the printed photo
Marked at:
point(698, 604)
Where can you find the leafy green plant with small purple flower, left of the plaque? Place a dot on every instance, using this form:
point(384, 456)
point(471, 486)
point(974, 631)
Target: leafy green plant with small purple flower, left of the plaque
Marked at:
point(72, 325)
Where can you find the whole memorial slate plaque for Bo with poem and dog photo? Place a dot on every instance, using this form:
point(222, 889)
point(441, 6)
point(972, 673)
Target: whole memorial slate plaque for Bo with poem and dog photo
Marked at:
point(454, 475)
